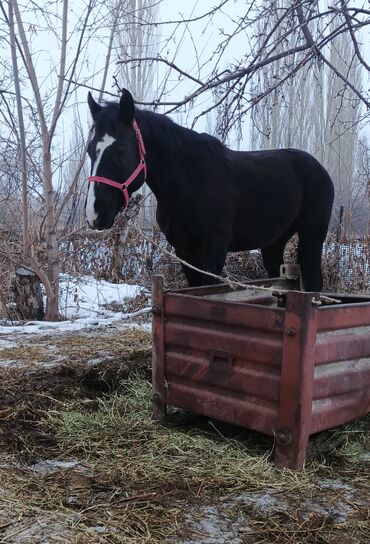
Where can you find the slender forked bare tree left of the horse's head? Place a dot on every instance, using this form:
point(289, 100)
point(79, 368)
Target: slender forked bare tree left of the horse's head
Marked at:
point(50, 96)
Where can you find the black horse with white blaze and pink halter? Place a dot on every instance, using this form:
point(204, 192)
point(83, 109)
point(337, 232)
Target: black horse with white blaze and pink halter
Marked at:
point(211, 199)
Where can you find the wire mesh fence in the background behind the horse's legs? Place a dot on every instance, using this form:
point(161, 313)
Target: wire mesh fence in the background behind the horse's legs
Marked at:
point(346, 265)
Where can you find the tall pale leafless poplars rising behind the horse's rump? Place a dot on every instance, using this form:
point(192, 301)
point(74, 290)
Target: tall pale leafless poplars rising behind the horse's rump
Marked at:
point(314, 110)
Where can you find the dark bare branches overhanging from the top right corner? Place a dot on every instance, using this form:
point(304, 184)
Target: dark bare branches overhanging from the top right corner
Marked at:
point(311, 46)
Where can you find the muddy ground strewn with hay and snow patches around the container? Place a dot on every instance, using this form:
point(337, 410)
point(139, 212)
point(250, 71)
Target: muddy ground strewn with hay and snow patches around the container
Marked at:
point(82, 462)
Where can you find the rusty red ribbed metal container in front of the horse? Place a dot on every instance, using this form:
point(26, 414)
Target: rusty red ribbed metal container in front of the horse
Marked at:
point(278, 363)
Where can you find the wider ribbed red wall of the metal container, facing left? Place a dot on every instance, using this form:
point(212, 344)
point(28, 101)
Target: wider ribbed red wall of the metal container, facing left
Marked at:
point(223, 359)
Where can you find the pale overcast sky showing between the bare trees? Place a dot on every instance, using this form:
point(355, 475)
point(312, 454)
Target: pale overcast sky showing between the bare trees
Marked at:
point(191, 47)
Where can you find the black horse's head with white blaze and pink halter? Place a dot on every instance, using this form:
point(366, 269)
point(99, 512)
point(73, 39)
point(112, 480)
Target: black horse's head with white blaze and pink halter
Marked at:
point(117, 156)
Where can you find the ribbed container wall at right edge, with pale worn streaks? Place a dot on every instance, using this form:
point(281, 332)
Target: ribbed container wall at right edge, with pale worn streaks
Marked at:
point(342, 366)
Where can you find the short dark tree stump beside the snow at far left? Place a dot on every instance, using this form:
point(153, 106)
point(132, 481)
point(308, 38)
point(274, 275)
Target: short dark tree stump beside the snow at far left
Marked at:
point(27, 293)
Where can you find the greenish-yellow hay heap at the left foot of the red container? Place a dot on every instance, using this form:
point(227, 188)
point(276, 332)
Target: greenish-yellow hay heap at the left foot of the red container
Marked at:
point(143, 450)
